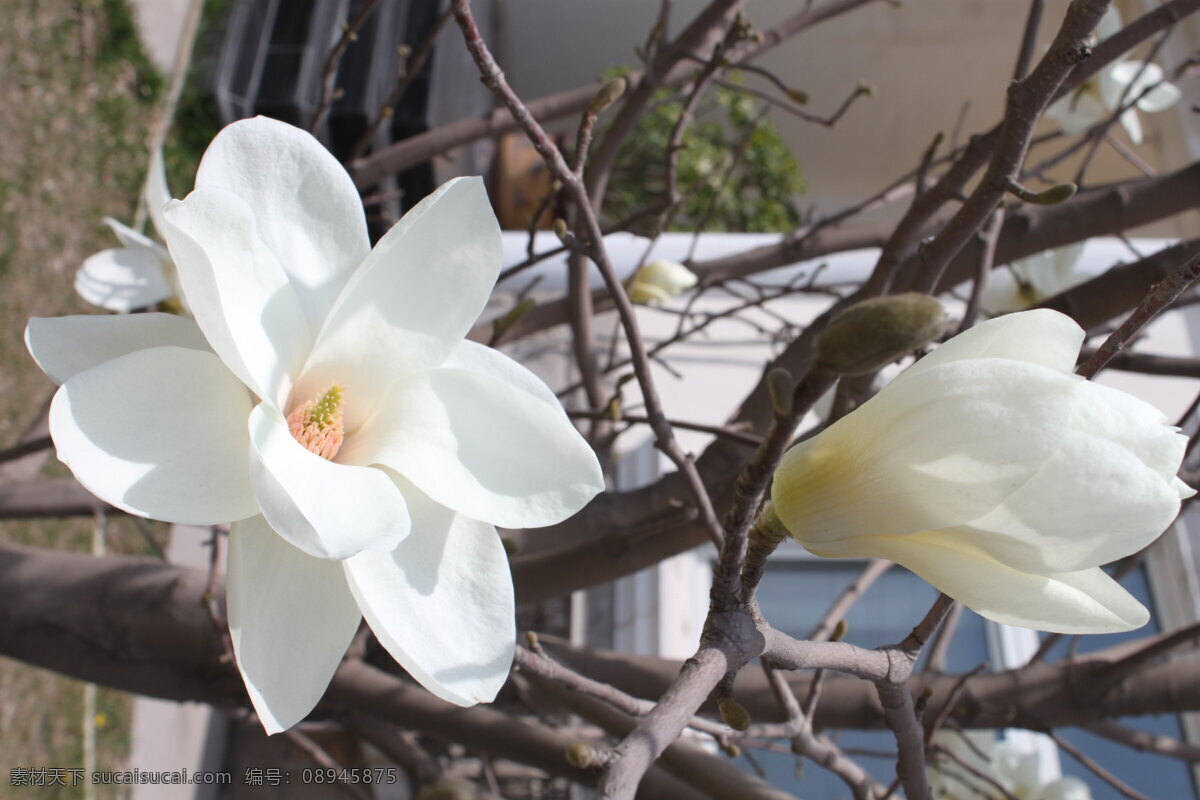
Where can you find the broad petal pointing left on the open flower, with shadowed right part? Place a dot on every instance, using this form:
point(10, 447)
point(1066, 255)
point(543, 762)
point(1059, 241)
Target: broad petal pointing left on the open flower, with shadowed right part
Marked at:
point(160, 434)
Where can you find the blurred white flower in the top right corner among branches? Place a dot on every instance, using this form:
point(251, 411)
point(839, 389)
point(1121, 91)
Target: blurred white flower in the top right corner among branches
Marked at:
point(1101, 95)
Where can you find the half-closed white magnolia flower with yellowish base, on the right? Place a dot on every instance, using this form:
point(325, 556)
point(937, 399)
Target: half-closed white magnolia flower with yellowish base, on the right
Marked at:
point(998, 476)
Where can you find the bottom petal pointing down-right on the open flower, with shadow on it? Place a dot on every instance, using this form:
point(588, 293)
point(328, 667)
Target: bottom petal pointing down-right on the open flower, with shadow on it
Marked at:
point(442, 603)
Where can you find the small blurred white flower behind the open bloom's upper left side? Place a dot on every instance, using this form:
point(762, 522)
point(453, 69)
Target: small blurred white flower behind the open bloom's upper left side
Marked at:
point(140, 273)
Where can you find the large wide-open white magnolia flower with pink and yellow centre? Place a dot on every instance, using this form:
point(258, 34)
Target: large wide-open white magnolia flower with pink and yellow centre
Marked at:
point(325, 401)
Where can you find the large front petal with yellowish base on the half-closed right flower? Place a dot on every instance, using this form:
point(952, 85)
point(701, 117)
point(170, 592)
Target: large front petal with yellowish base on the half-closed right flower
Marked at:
point(941, 449)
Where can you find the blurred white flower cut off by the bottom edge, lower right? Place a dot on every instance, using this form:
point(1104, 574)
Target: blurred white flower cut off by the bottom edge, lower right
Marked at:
point(1016, 771)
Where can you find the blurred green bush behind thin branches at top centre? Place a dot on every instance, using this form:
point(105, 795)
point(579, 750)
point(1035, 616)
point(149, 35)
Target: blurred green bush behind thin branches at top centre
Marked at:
point(734, 171)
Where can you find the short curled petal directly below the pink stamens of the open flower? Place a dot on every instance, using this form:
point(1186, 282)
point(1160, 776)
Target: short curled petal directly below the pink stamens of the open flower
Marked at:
point(326, 509)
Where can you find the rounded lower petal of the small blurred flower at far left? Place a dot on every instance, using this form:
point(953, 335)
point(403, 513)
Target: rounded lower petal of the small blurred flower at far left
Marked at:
point(123, 280)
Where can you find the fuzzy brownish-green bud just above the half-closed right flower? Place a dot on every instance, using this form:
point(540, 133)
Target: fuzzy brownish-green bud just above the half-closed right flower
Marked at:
point(877, 333)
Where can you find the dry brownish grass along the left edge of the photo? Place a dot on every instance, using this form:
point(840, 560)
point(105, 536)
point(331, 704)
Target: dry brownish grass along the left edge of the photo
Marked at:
point(77, 99)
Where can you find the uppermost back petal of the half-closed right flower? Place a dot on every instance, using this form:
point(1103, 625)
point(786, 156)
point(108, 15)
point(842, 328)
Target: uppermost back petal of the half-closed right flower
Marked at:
point(1040, 336)
